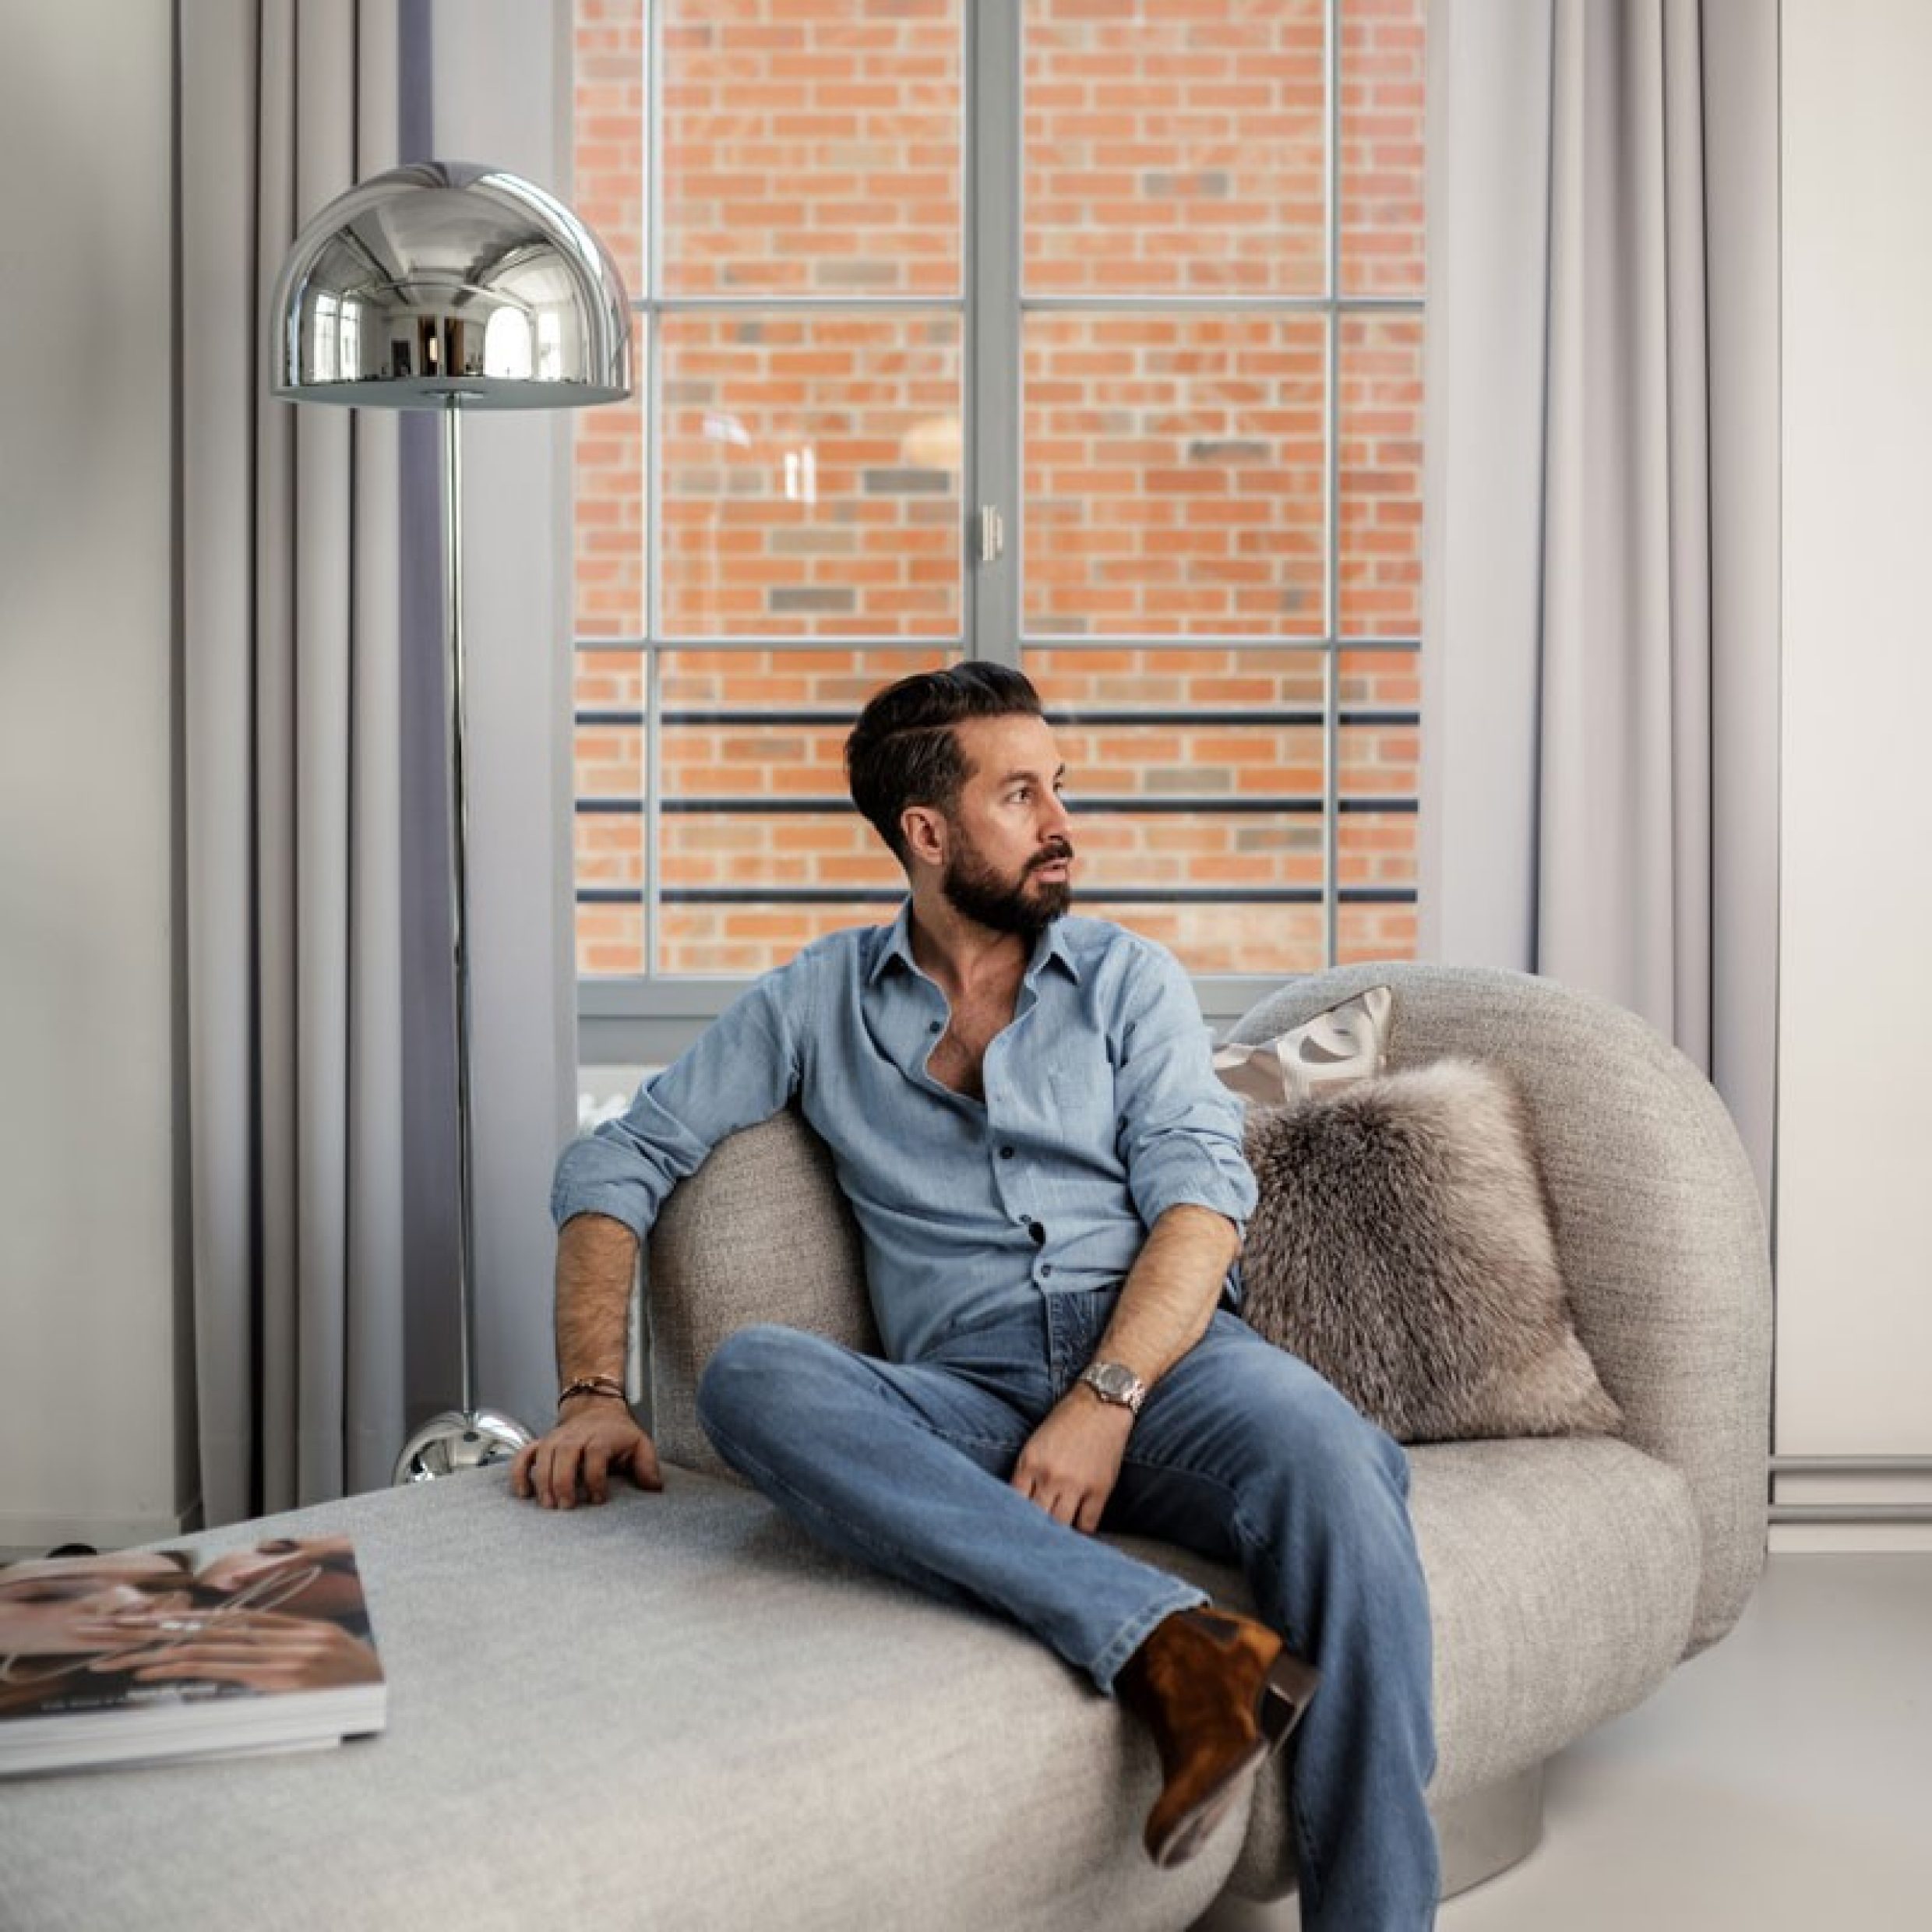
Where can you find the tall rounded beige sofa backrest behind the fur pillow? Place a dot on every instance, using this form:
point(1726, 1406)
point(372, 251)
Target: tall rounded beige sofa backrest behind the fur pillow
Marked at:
point(1661, 1230)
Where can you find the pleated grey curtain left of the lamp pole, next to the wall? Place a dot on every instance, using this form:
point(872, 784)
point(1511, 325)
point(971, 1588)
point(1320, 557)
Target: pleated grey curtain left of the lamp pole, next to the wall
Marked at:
point(291, 623)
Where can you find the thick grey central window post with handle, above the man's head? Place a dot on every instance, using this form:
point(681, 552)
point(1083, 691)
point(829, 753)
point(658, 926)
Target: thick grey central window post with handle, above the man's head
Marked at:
point(992, 474)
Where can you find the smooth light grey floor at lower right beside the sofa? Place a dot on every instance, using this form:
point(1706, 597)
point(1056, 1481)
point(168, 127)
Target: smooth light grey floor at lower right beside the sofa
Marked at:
point(1782, 1782)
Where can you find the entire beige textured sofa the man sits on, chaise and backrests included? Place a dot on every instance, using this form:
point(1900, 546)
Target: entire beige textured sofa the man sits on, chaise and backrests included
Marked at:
point(677, 1715)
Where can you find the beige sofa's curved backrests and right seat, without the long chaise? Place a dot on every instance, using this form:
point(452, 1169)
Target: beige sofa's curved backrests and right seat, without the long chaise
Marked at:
point(1568, 1577)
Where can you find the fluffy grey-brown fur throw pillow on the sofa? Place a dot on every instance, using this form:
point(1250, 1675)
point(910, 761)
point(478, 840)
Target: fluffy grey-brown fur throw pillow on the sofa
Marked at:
point(1402, 1247)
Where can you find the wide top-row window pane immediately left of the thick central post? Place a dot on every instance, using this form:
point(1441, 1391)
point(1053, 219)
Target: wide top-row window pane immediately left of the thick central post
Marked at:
point(812, 150)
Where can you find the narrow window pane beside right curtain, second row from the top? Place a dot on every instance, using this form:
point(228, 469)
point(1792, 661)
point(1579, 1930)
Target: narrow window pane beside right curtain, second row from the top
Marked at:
point(1380, 476)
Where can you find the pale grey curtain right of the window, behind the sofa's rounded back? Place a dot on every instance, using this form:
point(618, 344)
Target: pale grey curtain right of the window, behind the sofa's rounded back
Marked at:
point(1601, 565)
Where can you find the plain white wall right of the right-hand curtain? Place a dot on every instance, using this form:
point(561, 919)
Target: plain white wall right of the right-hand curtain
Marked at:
point(1856, 1050)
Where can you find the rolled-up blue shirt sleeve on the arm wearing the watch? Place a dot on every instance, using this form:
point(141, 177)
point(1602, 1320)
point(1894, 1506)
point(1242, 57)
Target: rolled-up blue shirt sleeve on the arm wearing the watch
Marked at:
point(1181, 1129)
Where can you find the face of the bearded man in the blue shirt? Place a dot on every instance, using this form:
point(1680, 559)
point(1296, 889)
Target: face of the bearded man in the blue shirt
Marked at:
point(1009, 857)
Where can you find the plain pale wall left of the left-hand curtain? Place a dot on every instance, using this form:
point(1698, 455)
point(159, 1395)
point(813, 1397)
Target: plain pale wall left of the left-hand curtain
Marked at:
point(92, 1367)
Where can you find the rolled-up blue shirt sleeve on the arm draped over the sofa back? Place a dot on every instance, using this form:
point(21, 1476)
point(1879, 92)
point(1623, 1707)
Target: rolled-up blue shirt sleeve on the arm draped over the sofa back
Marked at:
point(741, 1071)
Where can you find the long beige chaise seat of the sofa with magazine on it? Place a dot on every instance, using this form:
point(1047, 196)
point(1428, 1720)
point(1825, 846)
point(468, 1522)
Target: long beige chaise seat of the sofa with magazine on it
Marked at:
point(671, 1715)
